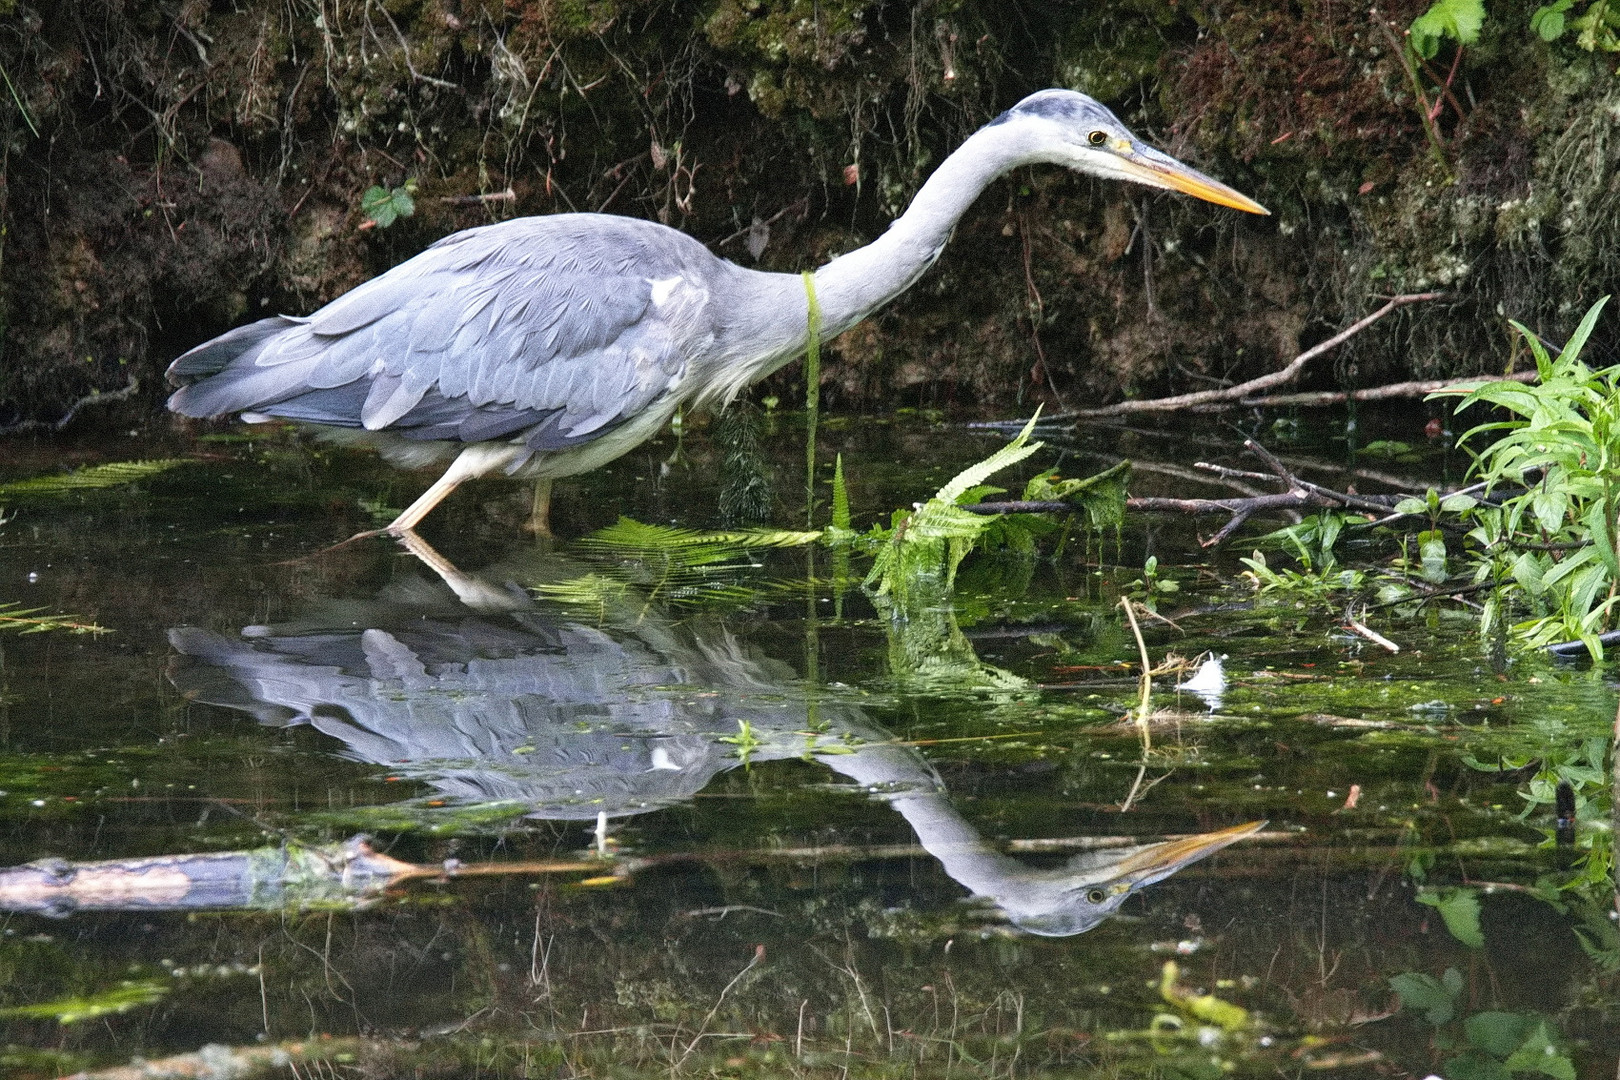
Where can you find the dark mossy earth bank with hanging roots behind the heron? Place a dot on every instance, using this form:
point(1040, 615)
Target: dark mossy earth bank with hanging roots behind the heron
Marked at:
point(171, 171)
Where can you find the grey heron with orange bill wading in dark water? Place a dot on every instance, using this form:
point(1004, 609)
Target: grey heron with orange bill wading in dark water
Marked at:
point(545, 347)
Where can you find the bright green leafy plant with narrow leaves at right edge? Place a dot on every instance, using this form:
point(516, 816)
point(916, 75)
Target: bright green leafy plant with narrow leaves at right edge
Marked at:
point(1553, 542)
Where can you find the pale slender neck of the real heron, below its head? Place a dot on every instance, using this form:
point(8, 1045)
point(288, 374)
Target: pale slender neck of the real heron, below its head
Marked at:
point(856, 284)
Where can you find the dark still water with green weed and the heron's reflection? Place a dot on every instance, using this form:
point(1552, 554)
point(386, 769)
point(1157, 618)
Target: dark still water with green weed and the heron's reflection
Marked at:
point(749, 827)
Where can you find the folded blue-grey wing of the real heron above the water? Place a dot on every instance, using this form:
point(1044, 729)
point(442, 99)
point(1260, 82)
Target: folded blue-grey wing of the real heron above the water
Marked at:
point(561, 326)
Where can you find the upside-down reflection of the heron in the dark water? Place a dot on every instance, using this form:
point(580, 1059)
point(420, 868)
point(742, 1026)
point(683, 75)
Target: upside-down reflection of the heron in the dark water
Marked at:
point(573, 721)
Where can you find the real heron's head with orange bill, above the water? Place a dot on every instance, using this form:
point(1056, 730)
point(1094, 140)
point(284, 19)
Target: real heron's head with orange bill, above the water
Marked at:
point(1075, 130)
